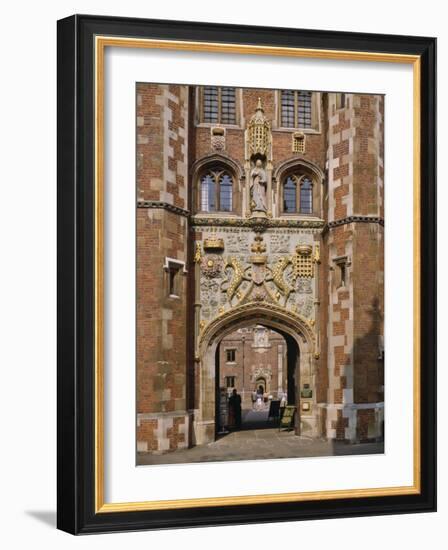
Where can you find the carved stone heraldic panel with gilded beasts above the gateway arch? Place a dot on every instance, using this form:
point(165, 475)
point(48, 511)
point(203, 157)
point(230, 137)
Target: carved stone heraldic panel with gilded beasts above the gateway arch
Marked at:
point(266, 271)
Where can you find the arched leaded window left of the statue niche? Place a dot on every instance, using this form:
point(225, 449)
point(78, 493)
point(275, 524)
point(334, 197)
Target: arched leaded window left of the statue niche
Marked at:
point(216, 187)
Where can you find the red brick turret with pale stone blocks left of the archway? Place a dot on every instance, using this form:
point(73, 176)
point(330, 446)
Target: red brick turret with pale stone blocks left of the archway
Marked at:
point(162, 168)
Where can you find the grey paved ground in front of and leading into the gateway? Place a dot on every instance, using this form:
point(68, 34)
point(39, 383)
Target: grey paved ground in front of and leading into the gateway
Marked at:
point(259, 438)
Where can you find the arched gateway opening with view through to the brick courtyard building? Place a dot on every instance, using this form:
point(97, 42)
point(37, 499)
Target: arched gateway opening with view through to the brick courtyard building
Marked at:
point(260, 366)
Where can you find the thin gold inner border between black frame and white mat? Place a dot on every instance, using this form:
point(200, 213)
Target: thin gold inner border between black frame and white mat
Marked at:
point(101, 42)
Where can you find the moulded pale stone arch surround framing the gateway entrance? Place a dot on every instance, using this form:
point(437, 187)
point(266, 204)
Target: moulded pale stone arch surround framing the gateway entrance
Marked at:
point(266, 314)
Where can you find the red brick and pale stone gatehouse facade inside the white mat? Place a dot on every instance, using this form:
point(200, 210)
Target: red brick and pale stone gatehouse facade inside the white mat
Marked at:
point(206, 276)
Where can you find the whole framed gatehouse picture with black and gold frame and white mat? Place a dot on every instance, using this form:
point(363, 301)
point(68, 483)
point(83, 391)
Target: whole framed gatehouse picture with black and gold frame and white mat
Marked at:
point(246, 274)
